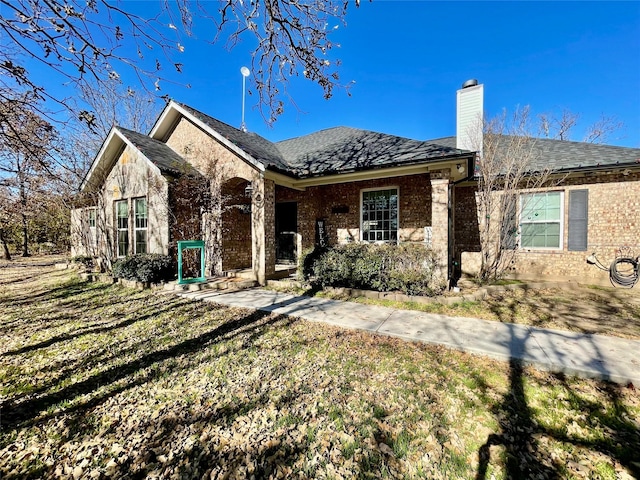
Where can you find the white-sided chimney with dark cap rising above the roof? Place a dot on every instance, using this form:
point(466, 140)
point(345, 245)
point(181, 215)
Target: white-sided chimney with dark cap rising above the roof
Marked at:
point(469, 116)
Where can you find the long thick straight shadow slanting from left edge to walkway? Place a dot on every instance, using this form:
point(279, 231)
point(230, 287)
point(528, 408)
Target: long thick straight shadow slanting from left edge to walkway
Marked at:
point(20, 414)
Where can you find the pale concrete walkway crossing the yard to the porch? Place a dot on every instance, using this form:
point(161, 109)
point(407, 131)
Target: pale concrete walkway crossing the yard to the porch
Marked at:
point(585, 355)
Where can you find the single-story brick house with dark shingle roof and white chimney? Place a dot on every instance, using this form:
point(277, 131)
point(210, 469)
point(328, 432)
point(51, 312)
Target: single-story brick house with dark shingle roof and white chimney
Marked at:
point(257, 204)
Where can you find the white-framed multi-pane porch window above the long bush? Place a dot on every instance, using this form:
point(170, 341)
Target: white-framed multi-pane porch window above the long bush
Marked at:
point(380, 215)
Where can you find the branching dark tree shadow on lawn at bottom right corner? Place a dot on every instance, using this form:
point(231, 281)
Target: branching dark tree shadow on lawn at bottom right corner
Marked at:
point(521, 432)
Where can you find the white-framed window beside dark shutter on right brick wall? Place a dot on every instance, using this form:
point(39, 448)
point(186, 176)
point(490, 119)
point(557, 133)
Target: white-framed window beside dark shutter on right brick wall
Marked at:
point(541, 220)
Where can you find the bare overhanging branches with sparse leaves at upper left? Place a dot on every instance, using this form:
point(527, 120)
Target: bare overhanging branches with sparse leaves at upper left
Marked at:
point(97, 40)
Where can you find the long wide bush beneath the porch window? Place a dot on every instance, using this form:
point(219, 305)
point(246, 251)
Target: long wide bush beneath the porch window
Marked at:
point(408, 268)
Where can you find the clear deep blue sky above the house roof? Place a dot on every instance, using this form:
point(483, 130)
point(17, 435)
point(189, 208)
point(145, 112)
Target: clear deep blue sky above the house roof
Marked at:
point(408, 58)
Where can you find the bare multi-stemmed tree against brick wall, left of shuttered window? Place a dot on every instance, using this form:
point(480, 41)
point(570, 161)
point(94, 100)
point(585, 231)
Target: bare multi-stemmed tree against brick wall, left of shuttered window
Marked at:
point(510, 163)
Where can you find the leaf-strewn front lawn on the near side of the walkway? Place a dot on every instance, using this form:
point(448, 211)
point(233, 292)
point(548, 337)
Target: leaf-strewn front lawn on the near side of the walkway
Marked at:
point(99, 381)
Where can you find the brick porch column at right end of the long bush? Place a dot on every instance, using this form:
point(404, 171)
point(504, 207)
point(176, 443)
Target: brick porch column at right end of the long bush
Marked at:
point(440, 224)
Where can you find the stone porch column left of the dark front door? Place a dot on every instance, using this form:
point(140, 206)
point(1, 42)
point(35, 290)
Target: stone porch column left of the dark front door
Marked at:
point(263, 229)
